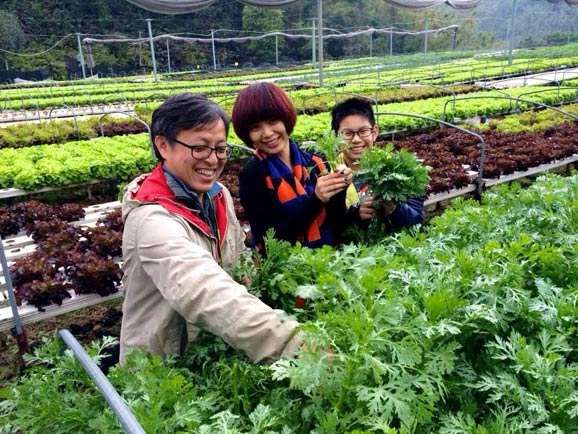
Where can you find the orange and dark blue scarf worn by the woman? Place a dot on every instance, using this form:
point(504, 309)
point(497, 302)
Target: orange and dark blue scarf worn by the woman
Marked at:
point(299, 180)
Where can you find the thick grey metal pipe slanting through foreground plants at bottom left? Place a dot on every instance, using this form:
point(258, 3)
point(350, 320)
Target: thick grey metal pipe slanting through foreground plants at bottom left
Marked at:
point(122, 411)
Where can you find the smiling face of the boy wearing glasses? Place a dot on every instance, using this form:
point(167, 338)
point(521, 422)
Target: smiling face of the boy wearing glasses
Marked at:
point(358, 136)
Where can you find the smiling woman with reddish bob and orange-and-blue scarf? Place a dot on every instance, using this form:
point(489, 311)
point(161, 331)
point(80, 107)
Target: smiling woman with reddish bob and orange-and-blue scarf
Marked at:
point(283, 187)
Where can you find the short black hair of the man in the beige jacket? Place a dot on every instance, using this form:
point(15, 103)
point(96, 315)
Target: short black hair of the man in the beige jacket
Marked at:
point(183, 112)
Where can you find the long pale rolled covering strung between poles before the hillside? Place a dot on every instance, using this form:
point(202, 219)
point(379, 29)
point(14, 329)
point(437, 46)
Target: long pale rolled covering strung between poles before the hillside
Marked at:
point(267, 35)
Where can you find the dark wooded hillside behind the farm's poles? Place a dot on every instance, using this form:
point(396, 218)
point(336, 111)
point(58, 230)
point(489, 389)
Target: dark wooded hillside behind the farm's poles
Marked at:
point(30, 26)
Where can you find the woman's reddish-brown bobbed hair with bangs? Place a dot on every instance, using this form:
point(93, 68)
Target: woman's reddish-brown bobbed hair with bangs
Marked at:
point(260, 102)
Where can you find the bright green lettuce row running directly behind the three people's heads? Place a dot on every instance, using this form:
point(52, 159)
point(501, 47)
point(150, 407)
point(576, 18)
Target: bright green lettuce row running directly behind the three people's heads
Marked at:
point(122, 157)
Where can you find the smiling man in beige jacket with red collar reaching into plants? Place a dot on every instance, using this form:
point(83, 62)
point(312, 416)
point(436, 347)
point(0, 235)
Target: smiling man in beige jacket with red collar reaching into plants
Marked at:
point(180, 235)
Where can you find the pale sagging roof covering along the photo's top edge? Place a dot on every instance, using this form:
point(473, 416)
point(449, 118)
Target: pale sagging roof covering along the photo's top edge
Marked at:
point(186, 6)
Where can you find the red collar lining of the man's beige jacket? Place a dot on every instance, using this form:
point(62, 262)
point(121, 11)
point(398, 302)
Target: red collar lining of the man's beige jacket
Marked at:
point(154, 189)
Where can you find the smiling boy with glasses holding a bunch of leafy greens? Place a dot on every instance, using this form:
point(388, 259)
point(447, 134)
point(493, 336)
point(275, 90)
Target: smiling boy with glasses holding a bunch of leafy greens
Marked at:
point(354, 121)
